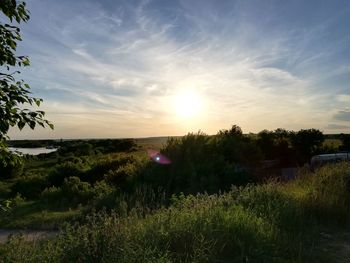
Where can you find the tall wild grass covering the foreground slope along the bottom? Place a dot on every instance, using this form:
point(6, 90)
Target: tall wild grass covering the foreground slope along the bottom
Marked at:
point(274, 222)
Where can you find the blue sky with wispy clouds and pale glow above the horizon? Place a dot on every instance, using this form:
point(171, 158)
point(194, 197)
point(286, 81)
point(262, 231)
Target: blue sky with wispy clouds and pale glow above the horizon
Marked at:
point(114, 69)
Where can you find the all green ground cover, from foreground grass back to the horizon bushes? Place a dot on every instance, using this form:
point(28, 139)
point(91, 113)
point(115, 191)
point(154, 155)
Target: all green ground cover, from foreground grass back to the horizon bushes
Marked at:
point(215, 201)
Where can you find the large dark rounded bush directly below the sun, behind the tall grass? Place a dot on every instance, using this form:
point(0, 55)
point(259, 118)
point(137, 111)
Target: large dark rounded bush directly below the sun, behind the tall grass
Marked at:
point(199, 163)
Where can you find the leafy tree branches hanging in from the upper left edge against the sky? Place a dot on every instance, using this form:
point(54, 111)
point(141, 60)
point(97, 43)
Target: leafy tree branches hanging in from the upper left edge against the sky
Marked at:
point(15, 94)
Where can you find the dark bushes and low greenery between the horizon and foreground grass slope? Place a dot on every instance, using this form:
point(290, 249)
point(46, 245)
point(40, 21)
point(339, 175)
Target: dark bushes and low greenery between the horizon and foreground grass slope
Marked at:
point(85, 175)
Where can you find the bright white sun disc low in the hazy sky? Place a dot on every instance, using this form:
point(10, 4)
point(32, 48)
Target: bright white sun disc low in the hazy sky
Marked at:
point(187, 104)
